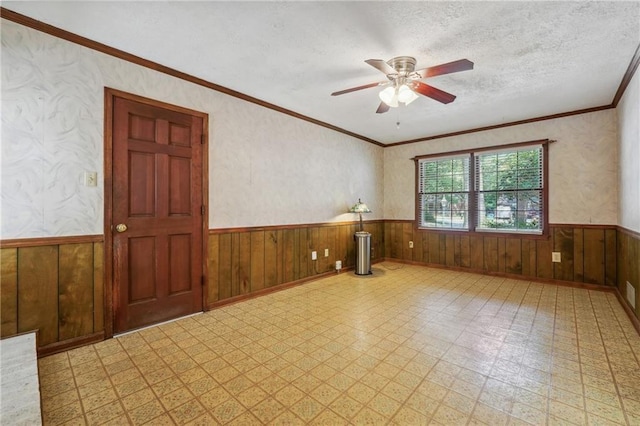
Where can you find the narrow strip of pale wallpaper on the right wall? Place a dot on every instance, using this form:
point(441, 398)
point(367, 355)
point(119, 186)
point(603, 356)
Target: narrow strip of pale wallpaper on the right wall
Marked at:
point(629, 180)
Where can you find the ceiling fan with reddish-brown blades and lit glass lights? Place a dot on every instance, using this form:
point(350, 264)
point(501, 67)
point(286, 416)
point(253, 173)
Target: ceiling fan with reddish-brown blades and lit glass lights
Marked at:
point(403, 85)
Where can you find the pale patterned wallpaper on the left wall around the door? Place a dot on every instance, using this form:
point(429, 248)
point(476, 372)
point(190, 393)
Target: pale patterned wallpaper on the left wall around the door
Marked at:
point(265, 168)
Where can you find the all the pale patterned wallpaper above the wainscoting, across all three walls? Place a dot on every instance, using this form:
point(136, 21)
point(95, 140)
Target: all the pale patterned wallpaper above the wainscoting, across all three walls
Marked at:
point(265, 168)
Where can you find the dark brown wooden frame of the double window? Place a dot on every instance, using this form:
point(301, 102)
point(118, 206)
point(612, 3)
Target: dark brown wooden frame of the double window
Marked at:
point(472, 193)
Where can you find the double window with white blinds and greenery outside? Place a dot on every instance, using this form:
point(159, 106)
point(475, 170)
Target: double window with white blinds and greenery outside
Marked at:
point(489, 190)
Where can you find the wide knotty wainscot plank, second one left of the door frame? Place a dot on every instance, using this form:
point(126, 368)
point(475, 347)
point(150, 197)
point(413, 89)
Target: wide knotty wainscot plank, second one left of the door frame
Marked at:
point(75, 290)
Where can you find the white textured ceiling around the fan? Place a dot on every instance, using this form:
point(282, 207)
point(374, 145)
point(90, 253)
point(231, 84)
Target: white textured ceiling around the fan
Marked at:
point(532, 59)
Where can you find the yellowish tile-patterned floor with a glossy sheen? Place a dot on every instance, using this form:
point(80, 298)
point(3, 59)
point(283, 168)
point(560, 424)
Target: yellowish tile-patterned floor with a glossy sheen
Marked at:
point(408, 345)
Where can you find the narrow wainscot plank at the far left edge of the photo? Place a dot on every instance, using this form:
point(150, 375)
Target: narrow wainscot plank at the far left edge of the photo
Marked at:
point(9, 291)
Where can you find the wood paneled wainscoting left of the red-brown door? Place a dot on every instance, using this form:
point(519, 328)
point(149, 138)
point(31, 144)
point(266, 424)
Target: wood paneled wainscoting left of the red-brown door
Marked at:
point(54, 286)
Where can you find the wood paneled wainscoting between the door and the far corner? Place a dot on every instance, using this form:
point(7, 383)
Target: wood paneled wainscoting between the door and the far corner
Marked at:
point(245, 261)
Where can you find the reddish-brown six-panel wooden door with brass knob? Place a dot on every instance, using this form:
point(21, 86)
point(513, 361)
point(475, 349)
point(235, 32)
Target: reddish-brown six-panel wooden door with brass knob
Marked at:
point(158, 214)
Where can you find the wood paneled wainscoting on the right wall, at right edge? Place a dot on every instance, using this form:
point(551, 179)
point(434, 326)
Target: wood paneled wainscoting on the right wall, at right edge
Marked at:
point(629, 269)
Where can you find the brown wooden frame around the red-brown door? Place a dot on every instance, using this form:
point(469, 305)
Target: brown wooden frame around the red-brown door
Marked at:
point(109, 97)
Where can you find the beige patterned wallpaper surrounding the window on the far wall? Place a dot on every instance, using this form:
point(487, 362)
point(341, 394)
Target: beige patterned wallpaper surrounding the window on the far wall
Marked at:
point(582, 166)
